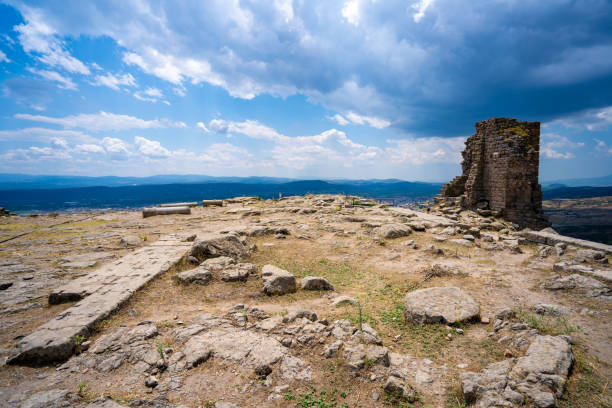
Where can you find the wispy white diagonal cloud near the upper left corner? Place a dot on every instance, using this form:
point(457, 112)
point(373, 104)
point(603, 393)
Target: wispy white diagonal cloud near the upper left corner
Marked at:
point(38, 37)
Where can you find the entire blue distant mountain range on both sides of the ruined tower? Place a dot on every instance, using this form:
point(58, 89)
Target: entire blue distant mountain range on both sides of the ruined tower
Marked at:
point(23, 193)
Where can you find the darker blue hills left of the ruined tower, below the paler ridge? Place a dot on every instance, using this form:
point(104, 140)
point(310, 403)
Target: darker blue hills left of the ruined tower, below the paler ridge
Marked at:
point(82, 198)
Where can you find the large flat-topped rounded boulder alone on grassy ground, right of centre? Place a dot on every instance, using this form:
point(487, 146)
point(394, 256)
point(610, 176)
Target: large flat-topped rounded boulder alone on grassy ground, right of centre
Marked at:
point(439, 305)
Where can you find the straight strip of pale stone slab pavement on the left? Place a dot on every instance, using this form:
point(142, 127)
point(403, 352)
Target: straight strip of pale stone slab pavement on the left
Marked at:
point(102, 292)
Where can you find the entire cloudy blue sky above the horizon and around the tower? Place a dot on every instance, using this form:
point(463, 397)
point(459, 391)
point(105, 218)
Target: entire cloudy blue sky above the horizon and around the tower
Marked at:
point(307, 89)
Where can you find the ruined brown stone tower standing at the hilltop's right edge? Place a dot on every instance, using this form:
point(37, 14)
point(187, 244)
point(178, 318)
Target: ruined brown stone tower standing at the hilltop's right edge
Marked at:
point(500, 173)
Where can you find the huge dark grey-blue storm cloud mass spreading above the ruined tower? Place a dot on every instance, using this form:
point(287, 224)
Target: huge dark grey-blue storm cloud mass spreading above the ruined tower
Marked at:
point(462, 61)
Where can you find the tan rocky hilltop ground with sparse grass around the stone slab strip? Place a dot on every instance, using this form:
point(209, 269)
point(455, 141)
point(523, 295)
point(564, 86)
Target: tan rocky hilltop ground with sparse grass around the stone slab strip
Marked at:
point(309, 302)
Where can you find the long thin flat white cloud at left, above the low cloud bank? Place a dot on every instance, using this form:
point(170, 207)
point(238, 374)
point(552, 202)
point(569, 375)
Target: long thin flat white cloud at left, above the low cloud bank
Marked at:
point(102, 121)
